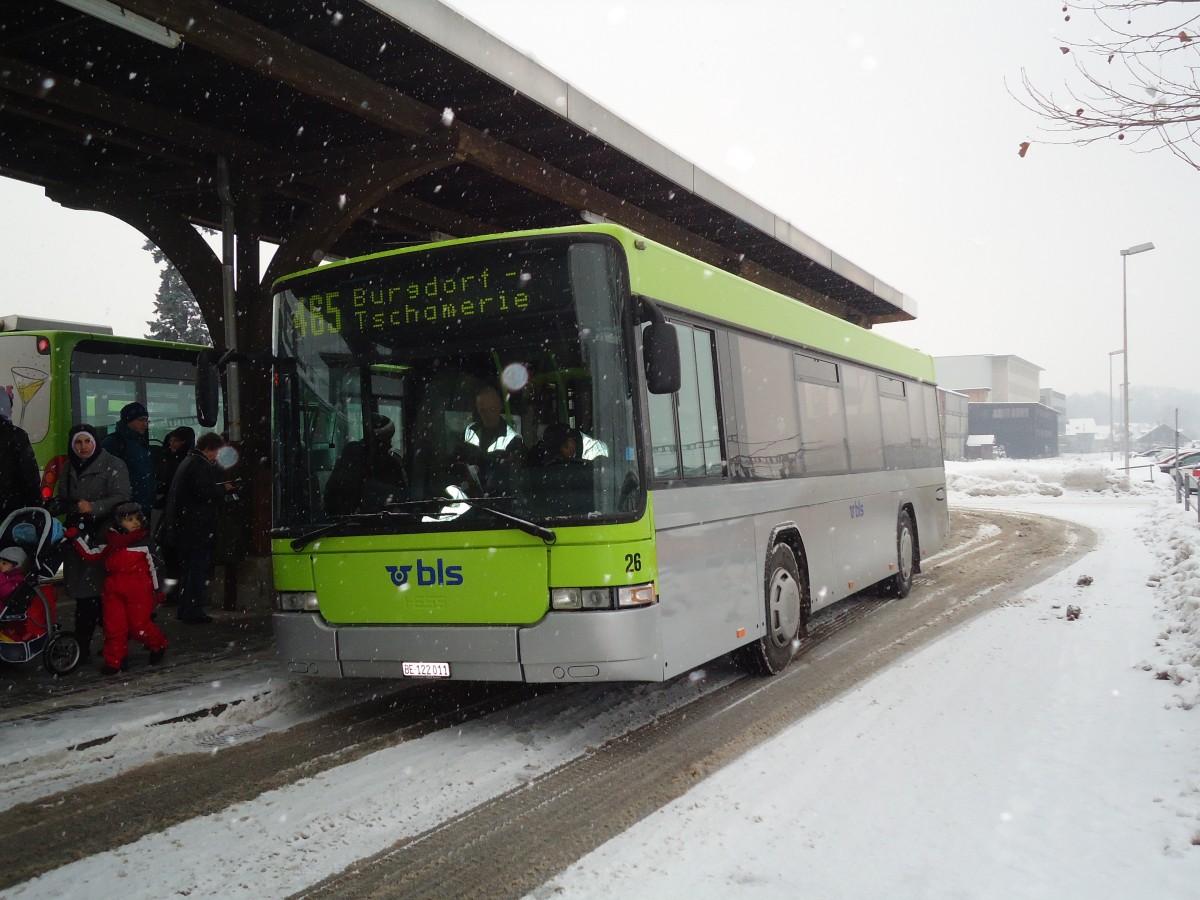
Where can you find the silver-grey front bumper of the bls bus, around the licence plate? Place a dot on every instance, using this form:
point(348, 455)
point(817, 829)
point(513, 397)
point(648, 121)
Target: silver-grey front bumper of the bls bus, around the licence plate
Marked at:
point(592, 646)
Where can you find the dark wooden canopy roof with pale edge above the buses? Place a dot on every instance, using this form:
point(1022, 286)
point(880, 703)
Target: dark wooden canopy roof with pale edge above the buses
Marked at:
point(371, 127)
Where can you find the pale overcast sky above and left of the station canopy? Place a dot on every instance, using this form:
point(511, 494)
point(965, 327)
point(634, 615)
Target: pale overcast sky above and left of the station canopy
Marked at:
point(884, 130)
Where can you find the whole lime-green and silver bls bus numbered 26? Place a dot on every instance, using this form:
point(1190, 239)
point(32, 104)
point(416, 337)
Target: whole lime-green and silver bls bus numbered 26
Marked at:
point(689, 464)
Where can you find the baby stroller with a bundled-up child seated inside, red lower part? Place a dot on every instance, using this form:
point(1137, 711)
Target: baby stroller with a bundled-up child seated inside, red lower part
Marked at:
point(29, 620)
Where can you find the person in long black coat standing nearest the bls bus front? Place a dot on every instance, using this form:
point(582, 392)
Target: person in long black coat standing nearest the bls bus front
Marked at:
point(190, 524)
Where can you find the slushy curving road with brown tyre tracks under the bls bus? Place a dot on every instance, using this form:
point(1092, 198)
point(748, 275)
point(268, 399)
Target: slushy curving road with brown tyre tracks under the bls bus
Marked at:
point(454, 789)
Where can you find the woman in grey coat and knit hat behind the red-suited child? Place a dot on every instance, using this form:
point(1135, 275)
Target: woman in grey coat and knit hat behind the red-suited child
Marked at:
point(94, 484)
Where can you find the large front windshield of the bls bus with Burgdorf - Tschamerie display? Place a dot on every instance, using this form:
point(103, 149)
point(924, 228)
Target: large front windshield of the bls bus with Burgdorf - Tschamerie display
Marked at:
point(423, 391)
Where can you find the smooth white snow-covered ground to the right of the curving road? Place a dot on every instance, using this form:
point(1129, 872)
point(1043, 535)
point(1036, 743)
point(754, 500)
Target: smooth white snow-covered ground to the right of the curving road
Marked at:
point(1023, 757)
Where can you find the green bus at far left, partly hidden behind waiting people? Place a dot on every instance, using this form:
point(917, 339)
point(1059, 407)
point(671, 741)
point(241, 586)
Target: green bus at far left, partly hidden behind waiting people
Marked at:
point(63, 374)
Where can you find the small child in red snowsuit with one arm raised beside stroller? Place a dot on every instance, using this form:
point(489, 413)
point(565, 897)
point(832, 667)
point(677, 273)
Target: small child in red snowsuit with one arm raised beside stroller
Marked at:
point(131, 587)
